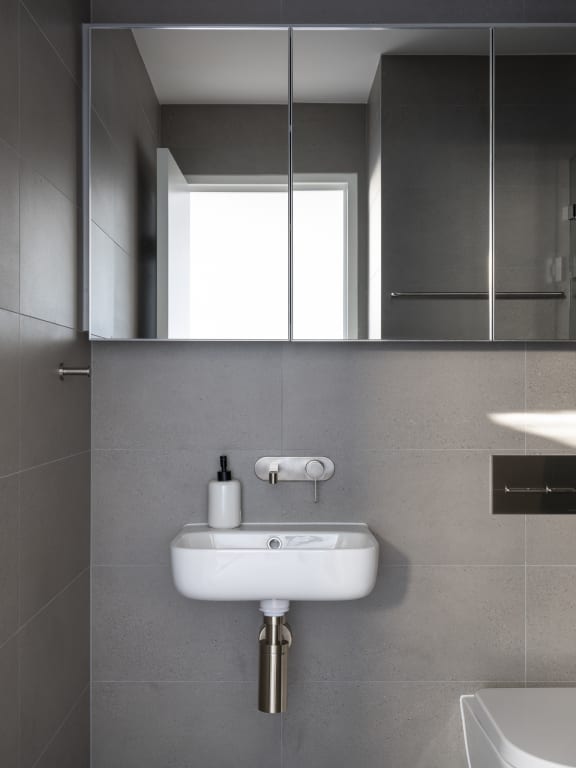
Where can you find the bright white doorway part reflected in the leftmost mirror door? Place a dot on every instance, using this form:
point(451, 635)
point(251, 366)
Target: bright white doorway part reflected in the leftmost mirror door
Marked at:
point(238, 278)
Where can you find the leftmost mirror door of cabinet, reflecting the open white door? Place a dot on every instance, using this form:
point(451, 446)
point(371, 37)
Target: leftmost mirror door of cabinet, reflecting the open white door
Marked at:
point(189, 165)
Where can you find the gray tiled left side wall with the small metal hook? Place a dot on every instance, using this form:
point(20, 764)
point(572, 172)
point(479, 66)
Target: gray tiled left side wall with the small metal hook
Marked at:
point(45, 433)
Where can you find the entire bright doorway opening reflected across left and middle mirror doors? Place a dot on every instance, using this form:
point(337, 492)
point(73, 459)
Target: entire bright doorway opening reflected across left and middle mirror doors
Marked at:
point(229, 279)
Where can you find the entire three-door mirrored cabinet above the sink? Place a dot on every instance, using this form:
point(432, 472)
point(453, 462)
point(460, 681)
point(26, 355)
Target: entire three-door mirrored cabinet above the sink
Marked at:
point(345, 184)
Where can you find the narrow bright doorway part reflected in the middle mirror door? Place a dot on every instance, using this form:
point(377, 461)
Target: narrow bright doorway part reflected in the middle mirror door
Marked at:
point(324, 257)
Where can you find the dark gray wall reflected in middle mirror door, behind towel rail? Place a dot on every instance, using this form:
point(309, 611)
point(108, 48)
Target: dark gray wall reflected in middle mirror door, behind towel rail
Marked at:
point(435, 194)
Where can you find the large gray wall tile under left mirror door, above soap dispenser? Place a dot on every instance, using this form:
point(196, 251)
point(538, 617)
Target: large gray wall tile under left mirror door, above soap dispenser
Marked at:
point(219, 396)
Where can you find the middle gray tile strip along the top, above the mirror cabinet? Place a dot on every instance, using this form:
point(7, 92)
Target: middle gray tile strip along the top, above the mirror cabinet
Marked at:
point(397, 11)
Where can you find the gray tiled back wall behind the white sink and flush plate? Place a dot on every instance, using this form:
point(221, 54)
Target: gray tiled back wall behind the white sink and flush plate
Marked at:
point(463, 599)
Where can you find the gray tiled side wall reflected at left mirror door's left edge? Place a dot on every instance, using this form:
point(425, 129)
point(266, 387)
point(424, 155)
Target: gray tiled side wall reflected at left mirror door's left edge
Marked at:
point(125, 134)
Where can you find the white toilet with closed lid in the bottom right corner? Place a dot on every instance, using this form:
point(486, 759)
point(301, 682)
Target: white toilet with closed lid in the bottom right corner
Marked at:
point(520, 728)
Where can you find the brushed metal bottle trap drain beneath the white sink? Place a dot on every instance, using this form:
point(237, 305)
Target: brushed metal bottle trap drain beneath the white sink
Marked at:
point(275, 639)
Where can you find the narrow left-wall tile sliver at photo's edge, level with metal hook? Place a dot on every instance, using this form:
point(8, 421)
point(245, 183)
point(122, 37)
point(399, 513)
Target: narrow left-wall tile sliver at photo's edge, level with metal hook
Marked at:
point(9, 393)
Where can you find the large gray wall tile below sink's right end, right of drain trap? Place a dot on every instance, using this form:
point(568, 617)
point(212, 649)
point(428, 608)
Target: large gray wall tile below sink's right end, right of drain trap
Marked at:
point(423, 623)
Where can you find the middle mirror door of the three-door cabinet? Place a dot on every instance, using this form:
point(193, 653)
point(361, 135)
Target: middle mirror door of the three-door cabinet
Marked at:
point(391, 159)
